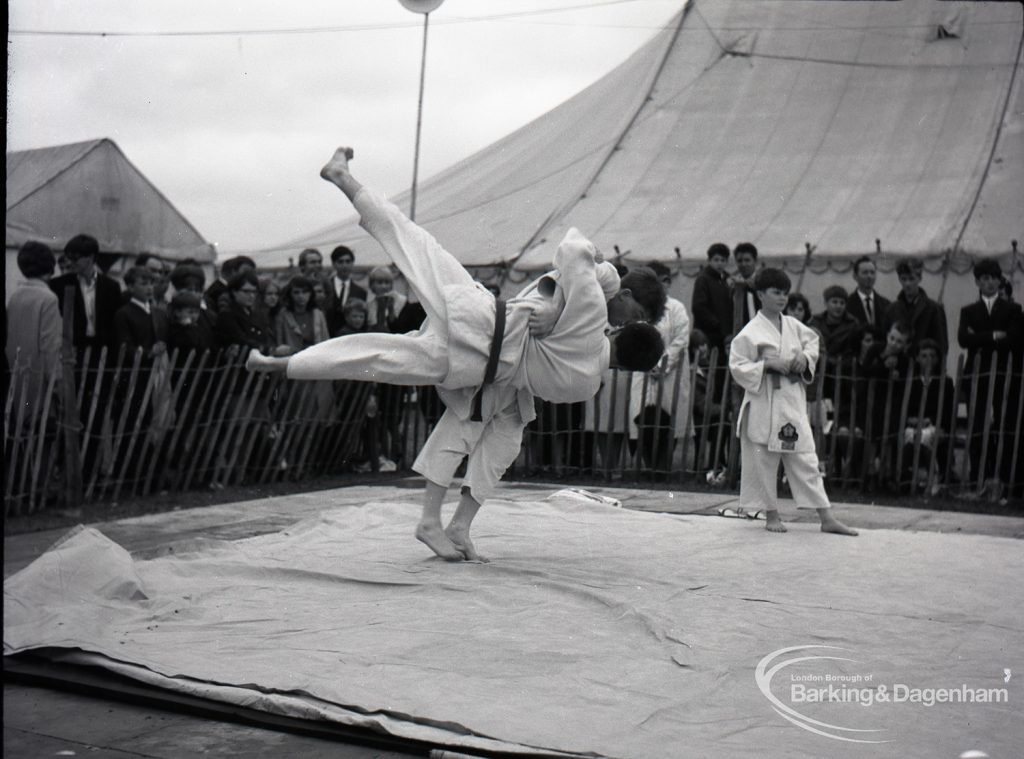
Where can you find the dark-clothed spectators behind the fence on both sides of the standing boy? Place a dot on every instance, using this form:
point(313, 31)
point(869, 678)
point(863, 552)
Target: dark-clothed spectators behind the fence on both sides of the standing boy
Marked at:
point(883, 361)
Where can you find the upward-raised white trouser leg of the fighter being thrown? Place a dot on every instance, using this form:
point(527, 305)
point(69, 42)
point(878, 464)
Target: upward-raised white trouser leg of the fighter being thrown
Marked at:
point(426, 266)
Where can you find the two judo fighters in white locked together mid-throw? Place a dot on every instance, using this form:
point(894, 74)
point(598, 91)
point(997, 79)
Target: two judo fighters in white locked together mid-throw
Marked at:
point(487, 358)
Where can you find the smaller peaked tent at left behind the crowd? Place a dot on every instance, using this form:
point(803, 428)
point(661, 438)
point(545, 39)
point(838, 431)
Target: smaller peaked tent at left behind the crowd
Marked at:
point(92, 188)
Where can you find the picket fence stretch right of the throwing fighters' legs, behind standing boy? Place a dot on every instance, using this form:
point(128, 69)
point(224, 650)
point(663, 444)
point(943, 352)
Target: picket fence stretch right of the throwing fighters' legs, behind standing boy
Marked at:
point(869, 438)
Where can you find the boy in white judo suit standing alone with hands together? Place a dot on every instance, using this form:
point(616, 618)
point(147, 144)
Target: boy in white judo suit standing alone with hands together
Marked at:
point(773, 359)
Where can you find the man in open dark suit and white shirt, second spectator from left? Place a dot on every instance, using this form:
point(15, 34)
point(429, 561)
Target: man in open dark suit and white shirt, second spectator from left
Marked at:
point(98, 298)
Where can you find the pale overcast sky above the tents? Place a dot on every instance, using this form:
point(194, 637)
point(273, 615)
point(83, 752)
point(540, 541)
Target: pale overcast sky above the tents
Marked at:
point(234, 128)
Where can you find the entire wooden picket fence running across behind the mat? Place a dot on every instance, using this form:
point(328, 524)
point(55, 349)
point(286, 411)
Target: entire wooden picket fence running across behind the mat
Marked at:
point(116, 428)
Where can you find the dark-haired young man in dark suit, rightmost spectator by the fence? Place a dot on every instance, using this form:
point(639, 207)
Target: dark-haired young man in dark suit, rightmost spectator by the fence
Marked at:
point(989, 328)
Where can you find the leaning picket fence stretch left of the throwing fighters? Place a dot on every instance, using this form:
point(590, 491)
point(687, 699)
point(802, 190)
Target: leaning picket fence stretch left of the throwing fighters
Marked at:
point(133, 428)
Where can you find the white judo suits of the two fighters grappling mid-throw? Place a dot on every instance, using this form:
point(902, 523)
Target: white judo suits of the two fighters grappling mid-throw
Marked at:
point(452, 348)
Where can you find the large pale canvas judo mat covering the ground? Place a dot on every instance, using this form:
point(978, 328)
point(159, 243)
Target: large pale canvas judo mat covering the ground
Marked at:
point(594, 631)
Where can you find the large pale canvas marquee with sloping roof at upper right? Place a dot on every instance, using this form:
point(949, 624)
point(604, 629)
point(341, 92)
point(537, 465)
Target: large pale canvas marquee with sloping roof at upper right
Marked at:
point(831, 124)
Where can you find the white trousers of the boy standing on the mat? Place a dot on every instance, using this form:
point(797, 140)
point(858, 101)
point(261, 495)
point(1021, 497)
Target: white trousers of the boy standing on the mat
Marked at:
point(758, 479)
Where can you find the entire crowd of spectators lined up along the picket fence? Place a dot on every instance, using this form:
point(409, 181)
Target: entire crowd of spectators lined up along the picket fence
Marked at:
point(878, 355)
